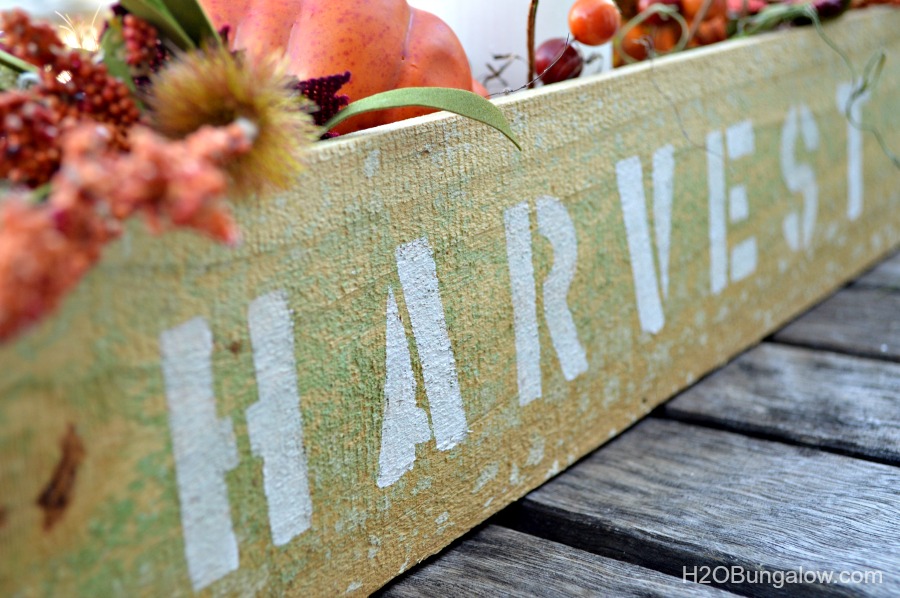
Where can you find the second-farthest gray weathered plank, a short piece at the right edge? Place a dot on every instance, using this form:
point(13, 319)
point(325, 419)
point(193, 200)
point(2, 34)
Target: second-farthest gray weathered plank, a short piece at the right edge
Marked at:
point(858, 321)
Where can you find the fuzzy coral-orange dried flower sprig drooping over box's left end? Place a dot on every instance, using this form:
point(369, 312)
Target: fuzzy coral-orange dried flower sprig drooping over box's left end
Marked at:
point(45, 249)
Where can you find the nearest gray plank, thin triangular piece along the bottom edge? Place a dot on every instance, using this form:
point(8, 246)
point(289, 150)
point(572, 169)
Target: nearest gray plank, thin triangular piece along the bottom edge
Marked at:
point(497, 561)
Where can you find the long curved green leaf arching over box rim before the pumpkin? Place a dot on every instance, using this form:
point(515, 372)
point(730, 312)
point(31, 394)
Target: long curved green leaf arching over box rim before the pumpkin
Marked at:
point(462, 102)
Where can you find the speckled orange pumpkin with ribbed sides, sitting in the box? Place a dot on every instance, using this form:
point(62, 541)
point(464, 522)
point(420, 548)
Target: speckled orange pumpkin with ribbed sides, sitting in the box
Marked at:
point(385, 44)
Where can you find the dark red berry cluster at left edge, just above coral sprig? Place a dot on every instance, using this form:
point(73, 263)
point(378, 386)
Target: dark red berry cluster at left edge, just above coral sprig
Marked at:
point(29, 139)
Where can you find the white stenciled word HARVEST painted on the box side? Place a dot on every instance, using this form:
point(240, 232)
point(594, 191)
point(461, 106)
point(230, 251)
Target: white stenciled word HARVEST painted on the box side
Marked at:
point(204, 445)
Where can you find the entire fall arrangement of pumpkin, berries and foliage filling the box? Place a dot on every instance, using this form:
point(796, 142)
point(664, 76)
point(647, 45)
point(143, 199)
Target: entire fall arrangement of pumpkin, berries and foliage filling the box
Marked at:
point(184, 103)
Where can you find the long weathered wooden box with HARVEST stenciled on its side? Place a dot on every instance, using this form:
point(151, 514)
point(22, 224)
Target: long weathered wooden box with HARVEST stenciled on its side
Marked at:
point(434, 323)
